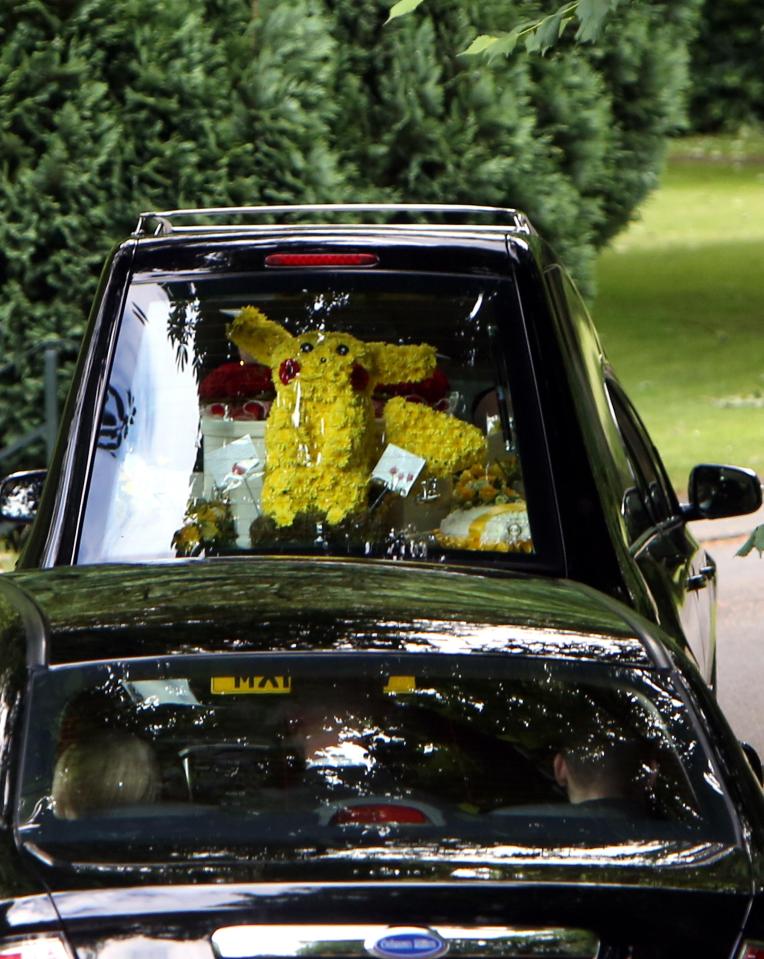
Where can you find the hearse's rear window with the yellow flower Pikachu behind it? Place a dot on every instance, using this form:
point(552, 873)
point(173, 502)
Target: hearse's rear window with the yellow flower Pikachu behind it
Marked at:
point(369, 413)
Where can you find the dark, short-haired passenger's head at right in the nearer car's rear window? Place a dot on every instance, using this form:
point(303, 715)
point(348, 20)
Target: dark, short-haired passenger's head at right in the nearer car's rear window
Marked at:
point(608, 778)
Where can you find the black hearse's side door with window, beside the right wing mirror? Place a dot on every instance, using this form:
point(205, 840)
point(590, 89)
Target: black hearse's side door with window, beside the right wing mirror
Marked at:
point(678, 571)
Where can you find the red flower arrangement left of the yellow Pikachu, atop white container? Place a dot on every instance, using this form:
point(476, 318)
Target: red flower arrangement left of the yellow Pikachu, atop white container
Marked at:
point(237, 390)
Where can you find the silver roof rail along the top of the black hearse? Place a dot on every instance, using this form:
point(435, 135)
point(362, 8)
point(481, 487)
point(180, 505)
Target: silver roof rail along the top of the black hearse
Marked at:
point(165, 221)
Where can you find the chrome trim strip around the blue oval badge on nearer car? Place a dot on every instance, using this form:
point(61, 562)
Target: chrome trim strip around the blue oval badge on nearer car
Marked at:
point(493, 942)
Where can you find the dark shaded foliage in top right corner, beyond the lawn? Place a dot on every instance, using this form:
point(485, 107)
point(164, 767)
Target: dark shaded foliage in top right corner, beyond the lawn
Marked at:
point(727, 71)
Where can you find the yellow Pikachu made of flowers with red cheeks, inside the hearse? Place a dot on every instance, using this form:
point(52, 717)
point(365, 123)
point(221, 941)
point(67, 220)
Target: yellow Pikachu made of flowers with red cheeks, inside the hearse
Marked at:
point(321, 442)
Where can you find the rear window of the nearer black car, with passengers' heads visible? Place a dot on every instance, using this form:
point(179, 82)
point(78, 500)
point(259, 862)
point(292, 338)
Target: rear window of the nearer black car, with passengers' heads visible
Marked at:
point(357, 759)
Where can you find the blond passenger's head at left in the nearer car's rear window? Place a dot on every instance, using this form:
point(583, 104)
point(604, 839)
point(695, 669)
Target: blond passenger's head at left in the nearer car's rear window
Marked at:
point(110, 770)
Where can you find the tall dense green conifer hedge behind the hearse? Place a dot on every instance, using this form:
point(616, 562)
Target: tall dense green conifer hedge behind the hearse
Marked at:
point(108, 107)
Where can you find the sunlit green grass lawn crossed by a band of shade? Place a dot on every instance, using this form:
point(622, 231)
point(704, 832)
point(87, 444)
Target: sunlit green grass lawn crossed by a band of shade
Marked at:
point(681, 306)
